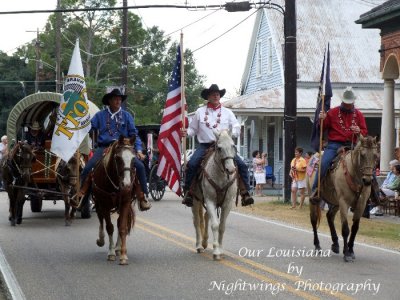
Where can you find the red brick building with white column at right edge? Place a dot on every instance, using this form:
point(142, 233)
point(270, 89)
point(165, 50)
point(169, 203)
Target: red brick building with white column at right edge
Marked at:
point(386, 17)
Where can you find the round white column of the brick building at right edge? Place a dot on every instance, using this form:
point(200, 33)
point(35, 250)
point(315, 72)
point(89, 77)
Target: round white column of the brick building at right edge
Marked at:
point(387, 128)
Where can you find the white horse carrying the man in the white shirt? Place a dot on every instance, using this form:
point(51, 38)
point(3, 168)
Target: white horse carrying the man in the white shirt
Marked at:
point(216, 190)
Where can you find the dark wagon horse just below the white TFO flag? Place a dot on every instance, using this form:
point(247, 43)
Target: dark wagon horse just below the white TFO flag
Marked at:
point(67, 180)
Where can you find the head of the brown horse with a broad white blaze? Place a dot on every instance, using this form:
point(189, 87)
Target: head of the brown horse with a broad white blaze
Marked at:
point(122, 156)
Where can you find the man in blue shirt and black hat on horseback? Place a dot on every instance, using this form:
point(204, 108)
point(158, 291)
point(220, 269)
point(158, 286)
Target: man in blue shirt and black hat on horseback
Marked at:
point(110, 123)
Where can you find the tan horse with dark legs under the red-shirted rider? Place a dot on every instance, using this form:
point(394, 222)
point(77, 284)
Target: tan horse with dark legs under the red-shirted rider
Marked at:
point(346, 186)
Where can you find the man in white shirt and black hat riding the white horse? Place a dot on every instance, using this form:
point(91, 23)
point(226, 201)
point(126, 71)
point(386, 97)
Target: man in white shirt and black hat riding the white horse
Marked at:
point(206, 118)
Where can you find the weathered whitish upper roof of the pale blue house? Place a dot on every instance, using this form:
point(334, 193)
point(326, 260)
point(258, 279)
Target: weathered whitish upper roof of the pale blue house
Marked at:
point(354, 51)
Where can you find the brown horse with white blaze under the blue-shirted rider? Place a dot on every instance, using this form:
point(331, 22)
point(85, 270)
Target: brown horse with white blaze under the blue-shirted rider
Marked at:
point(113, 190)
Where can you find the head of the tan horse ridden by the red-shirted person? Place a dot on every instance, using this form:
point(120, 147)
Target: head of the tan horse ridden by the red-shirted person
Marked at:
point(368, 153)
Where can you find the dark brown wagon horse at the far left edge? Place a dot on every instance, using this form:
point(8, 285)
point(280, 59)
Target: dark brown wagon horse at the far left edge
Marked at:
point(17, 167)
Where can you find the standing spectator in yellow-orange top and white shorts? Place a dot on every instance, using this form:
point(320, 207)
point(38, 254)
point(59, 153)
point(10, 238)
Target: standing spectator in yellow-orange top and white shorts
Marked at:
point(298, 174)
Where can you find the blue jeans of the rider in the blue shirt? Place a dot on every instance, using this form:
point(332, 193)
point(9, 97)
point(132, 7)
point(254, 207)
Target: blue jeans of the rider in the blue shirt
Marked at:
point(138, 164)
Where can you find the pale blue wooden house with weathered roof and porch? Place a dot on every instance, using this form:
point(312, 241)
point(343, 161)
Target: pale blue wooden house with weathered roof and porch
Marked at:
point(260, 108)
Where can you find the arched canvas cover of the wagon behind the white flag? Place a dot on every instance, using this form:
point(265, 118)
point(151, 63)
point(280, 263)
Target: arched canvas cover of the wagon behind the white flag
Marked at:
point(38, 107)
